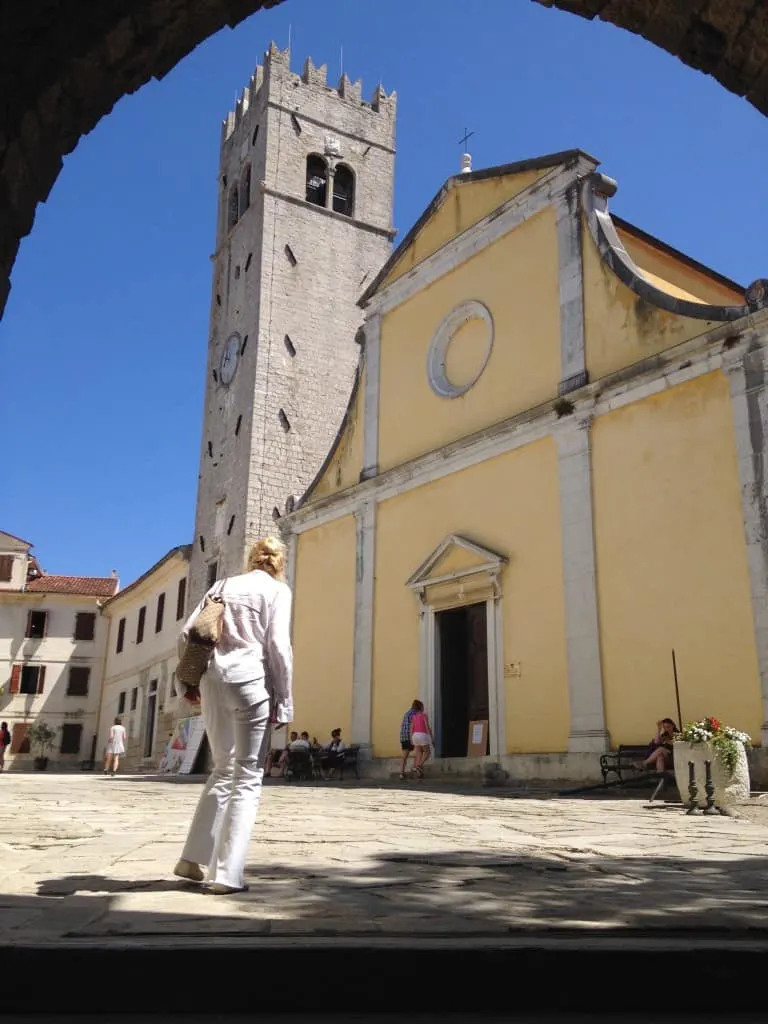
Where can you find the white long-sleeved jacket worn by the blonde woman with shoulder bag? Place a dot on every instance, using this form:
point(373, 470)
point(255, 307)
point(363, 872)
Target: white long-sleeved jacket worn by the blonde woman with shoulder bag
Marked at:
point(255, 643)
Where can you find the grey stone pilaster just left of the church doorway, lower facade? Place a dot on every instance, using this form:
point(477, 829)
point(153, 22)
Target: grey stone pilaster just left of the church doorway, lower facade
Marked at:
point(364, 624)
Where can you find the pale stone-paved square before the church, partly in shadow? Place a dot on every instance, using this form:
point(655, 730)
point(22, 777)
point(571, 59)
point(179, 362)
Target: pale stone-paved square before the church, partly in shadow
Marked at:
point(90, 859)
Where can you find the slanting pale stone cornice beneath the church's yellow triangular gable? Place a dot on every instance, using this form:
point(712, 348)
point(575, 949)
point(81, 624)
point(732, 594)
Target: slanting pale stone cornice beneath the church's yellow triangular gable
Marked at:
point(495, 226)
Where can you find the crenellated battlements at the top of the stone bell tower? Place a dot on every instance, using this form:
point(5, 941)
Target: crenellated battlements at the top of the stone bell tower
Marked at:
point(276, 73)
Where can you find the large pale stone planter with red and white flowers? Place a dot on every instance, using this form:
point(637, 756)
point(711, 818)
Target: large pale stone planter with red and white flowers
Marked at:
point(726, 748)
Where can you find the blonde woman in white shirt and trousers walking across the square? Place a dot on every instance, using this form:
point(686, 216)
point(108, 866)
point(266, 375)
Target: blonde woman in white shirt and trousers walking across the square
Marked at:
point(238, 706)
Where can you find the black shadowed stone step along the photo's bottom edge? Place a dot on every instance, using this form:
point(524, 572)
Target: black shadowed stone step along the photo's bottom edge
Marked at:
point(407, 976)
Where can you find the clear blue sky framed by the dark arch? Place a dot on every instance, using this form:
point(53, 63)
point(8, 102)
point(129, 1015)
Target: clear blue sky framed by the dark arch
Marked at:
point(103, 346)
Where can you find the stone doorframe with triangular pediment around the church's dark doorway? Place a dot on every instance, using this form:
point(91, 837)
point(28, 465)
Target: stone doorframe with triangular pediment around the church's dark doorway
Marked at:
point(438, 591)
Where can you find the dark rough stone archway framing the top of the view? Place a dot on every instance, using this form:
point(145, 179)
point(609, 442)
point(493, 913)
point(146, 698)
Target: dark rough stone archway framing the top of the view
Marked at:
point(65, 64)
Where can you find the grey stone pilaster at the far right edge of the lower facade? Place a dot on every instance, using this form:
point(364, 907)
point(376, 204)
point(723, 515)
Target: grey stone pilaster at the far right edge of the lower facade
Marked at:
point(747, 374)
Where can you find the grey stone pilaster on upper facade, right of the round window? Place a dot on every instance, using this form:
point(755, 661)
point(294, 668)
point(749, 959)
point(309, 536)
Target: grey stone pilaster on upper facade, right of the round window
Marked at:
point(571, 274)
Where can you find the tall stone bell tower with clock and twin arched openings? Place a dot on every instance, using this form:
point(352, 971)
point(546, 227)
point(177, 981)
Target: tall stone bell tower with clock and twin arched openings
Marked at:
point(306, 195)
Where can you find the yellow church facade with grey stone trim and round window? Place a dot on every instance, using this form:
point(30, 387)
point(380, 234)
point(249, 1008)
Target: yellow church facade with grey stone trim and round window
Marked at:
point(550, 476)
